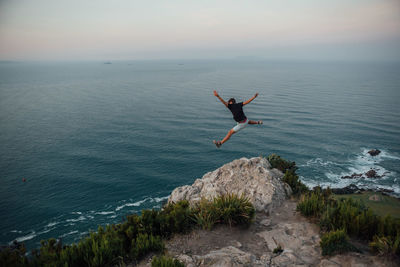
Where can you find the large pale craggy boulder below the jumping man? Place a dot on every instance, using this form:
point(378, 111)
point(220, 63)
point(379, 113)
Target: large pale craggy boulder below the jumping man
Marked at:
point(252, 177)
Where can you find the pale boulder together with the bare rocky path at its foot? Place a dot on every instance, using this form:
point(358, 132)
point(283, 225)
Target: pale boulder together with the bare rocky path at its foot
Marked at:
point(280, 236)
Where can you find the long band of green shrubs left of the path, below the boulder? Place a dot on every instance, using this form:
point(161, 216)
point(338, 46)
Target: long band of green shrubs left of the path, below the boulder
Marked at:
point(137, 236)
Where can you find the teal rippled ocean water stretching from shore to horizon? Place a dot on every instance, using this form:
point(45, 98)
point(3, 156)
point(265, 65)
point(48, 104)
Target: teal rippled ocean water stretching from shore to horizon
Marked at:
point(96, 141)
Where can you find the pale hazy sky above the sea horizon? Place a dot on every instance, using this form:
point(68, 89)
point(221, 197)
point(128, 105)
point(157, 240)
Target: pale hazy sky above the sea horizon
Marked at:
point(202, 29)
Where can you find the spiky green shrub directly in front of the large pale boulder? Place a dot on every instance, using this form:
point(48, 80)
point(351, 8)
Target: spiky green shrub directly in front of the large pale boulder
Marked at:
point(234, 210)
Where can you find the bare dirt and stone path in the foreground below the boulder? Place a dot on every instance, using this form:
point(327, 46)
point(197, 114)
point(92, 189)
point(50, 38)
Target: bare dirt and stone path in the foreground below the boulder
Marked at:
point(299, 239)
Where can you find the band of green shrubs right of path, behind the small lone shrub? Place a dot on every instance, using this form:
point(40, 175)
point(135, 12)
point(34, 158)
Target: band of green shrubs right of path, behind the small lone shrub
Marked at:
point(353, 217)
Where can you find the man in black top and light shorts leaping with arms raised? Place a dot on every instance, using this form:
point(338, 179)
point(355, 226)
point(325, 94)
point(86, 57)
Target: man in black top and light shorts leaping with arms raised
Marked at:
point(238, 116)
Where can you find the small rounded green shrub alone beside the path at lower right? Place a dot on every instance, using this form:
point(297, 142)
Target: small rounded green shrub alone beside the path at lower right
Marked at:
point(335, 242)
